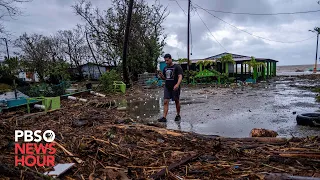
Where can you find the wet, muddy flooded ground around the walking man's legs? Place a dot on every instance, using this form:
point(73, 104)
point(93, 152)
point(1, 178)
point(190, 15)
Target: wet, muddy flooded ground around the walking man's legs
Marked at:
point(233, 112)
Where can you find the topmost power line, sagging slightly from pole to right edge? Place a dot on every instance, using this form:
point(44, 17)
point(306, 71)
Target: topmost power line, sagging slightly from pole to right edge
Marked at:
point(262, 14)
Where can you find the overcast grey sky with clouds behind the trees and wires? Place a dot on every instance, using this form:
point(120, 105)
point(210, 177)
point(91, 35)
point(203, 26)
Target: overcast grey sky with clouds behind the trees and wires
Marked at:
point(49, 16)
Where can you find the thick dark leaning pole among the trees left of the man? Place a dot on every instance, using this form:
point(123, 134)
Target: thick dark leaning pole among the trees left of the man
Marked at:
point(125, 45)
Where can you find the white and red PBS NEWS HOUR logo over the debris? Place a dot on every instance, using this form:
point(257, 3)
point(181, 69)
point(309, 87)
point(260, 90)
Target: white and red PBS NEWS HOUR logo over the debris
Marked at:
point(32, 151)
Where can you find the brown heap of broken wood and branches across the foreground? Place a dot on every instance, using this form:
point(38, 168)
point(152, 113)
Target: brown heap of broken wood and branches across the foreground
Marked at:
point(105, 144)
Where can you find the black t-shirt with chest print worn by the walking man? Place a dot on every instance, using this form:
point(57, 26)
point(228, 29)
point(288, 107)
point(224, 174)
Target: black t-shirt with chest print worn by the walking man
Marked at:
point(171, 74)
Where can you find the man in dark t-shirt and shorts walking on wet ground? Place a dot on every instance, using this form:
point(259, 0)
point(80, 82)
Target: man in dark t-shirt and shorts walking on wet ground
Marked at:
point(172, 73)
